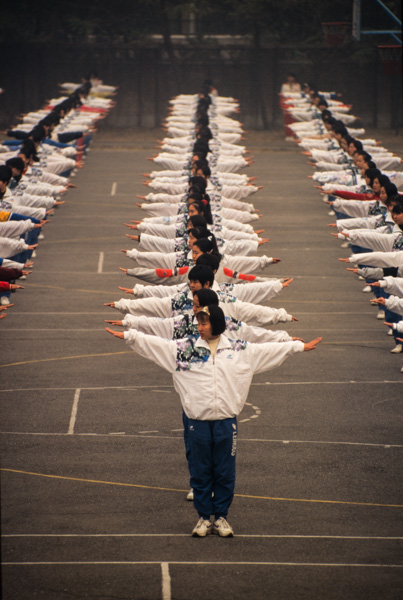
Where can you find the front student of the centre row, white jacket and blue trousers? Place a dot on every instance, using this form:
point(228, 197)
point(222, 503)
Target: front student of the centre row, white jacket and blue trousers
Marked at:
point(212, 375)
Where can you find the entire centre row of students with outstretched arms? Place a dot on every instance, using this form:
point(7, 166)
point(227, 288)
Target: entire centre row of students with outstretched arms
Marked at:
point(203, 322)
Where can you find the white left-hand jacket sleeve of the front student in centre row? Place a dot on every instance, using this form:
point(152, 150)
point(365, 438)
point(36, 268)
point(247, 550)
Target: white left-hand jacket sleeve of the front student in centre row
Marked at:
point(158, 350)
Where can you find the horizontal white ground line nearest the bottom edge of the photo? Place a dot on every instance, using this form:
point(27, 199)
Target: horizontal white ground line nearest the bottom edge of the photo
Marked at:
point(201, 563)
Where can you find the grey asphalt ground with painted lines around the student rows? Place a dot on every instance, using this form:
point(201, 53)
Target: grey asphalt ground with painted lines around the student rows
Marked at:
point(93, 468)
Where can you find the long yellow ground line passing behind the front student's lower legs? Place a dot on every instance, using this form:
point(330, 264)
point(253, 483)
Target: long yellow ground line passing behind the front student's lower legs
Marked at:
point(163, 489)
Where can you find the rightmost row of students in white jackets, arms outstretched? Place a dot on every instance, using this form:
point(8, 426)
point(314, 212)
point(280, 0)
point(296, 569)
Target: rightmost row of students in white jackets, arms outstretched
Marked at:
point(360, 179)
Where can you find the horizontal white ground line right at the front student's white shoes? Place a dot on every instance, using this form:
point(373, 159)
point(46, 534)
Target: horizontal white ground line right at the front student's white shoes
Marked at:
point(151, 535)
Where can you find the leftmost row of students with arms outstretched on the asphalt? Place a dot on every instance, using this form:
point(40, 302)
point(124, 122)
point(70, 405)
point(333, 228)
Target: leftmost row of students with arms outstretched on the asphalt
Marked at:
point(44, 151)
